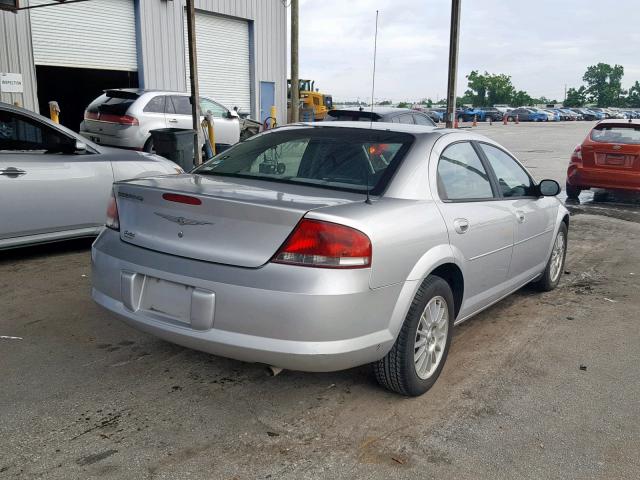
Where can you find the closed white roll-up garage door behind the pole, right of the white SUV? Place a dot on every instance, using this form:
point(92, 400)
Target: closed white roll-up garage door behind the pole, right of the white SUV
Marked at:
point(223, 60)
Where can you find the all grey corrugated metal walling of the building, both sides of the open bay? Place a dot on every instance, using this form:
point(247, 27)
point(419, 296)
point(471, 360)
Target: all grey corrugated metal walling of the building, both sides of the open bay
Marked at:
point(161, 46)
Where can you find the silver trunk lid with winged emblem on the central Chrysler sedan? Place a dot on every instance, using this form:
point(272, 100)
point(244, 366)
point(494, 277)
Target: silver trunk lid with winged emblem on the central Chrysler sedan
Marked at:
point(214, 219)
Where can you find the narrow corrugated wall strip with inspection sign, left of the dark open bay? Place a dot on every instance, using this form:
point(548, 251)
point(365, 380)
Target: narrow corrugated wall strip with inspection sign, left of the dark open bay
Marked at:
point(16, 56)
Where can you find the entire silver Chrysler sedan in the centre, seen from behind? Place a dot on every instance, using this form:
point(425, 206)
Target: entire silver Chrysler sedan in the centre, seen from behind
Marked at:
point(324, 246)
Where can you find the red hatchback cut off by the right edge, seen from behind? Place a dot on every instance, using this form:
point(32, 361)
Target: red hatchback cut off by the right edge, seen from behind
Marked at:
point(608, 158)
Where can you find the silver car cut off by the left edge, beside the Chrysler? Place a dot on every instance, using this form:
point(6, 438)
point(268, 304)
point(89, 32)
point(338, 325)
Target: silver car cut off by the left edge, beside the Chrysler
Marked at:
point(53, 183)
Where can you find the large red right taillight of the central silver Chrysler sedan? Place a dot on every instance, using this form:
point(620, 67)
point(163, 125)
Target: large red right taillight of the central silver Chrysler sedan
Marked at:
point(314, 243)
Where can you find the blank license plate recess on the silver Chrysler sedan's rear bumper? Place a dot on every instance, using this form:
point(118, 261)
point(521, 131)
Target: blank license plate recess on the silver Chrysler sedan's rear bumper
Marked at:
point(166, 300)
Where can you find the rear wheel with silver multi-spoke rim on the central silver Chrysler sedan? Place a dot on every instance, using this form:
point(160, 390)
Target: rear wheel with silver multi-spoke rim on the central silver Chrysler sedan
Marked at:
point(417, 357)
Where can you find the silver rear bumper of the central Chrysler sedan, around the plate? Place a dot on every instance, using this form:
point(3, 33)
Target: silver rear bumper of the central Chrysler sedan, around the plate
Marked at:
point(296, 318)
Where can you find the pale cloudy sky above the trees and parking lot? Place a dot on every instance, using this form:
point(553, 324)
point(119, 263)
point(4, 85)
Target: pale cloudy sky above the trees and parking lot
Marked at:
point(543, 44)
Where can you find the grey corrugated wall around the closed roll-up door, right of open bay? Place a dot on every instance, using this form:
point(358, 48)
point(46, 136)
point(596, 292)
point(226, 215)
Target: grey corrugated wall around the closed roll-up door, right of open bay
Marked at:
point(162, 54)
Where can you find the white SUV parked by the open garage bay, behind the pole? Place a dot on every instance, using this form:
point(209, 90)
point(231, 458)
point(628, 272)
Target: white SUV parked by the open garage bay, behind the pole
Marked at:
point(124, 117)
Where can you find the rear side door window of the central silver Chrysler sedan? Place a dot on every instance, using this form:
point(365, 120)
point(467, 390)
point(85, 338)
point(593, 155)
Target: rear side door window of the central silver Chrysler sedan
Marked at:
point(461, 175)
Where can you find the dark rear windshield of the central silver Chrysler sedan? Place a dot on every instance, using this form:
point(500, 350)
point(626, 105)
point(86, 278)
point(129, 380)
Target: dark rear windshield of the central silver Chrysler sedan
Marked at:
point(336, 158)
